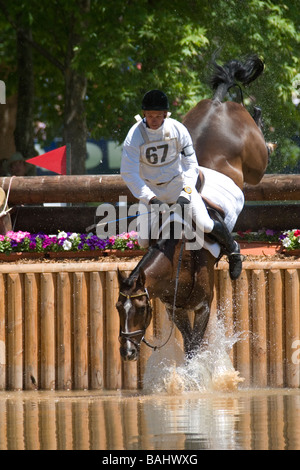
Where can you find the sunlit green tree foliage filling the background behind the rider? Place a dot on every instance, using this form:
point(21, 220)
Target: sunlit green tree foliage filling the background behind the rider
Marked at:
point(126, 47)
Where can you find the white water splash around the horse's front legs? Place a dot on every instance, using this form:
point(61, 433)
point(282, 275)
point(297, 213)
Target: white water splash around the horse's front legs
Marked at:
point(210, 369)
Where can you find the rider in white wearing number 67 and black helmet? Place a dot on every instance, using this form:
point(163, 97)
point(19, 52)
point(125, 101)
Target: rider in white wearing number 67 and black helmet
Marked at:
point(159, 166)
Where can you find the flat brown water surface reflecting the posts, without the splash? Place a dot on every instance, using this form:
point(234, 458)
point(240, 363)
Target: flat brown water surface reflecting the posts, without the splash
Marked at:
point(245, 419)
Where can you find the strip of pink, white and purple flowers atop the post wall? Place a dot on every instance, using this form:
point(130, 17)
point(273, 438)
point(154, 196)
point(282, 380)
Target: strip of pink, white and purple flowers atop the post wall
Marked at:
point(18, 245)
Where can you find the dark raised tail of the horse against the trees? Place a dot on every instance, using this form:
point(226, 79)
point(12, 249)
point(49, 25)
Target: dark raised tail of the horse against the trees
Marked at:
point(234, 71)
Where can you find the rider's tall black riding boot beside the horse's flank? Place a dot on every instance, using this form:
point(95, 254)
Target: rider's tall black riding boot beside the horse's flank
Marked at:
point(231, 248)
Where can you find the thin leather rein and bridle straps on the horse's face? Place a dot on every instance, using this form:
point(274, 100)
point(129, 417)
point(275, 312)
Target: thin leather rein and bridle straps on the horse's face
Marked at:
point(143, 331)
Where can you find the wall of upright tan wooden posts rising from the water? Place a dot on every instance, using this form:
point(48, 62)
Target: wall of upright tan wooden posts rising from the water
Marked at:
point(59, 325)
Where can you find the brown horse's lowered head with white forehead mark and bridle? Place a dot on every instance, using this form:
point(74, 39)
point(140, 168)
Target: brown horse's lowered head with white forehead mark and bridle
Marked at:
point(135, 314)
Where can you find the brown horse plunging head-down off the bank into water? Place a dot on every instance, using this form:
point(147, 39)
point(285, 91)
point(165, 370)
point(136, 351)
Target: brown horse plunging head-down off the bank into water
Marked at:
point(229, 140)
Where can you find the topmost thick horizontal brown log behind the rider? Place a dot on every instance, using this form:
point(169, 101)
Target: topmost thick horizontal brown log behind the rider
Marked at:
point(108, 188)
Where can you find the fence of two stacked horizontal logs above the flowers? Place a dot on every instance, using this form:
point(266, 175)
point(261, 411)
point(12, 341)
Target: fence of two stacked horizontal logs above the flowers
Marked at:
point(79, 195)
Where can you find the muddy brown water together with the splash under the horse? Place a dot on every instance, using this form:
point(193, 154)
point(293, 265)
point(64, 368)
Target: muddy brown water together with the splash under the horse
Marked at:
point(185, 405)
